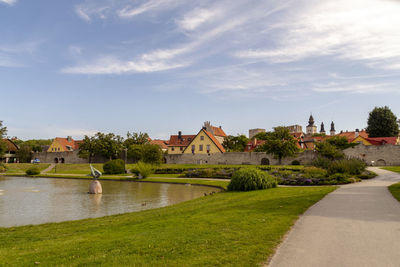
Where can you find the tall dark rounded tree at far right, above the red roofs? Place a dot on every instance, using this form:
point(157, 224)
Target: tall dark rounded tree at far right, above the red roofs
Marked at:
point(382, 123)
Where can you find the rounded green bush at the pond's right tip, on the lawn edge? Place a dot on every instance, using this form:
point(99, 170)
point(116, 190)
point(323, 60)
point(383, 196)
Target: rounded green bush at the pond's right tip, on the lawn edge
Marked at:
point(251, 179)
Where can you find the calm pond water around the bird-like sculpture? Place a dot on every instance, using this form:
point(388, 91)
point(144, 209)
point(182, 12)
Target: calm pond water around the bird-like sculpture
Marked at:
point(26, 201)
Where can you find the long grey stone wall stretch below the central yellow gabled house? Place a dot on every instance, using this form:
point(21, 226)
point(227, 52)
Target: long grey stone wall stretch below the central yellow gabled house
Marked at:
point(248, 158)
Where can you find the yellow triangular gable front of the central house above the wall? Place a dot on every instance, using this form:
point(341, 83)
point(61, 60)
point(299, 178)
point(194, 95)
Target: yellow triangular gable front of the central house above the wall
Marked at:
point(204, 143)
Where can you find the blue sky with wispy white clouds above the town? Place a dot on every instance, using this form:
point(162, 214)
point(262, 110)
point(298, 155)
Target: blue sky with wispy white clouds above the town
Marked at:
point(75, 67)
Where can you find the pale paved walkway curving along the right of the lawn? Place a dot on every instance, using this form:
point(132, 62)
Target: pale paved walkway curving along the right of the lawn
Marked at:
point(356, 225)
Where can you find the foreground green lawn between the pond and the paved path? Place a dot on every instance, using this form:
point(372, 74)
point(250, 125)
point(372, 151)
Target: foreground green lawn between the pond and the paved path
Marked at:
point(225, 229)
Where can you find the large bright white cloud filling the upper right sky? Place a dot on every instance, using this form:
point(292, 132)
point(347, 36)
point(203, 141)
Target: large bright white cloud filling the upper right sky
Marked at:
point(351, 30)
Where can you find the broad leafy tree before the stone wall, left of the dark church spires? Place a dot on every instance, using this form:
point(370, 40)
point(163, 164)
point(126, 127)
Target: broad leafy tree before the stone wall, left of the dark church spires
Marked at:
point(280, 143)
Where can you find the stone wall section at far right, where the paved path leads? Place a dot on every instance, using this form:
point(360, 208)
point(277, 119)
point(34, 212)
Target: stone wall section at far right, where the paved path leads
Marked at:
point(387, 155)
